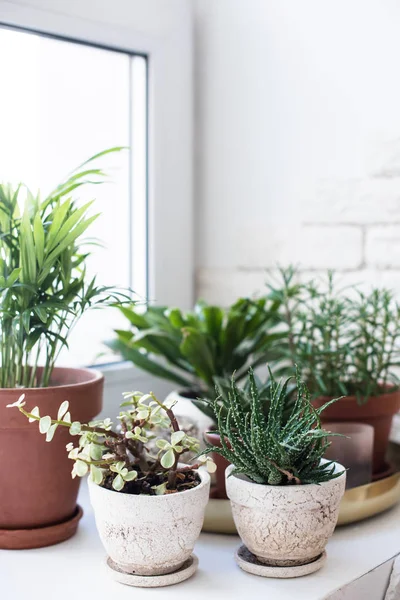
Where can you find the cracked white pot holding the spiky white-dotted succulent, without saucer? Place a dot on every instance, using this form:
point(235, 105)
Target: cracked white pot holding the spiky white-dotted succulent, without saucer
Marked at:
point(285, 525)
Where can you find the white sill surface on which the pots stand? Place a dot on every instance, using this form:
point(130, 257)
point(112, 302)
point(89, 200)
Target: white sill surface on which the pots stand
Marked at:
point(75, 569)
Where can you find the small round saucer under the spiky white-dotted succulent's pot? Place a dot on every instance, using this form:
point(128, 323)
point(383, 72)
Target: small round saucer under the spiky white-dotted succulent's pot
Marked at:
point(248, 562)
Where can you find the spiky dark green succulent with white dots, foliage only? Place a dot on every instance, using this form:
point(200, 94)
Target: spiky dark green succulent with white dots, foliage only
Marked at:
point(278, 448)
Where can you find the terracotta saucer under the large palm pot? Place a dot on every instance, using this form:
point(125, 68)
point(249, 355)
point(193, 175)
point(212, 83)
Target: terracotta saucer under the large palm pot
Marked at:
point(39, 537)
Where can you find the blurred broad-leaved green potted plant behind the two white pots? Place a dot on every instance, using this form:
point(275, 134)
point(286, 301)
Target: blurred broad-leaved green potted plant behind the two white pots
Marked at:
point(197, 349)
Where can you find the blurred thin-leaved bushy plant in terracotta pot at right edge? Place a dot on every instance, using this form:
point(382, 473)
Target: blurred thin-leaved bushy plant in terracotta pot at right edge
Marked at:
point(346, 343)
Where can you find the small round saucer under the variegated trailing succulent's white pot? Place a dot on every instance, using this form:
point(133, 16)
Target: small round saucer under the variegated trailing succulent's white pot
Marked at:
point(188, 568)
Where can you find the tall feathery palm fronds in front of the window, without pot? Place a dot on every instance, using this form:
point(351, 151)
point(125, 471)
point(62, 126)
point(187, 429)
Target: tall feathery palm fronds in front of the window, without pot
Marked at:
point(43, 286)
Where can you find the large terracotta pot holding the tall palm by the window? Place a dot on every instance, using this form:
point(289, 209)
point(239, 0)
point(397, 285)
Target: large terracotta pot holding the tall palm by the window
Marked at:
point(37, 490)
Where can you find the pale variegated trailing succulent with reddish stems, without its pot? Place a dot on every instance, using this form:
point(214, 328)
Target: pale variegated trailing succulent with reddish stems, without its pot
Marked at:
point(120, 459)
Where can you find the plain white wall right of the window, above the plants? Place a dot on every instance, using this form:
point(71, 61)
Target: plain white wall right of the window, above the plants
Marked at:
point(298, 140)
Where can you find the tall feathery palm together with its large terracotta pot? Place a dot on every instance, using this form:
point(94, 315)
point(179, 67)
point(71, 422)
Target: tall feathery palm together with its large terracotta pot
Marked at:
point(43, 292)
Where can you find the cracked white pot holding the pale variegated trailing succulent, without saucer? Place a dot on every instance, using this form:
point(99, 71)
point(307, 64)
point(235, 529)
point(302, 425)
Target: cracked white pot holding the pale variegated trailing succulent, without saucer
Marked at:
point(150, 535)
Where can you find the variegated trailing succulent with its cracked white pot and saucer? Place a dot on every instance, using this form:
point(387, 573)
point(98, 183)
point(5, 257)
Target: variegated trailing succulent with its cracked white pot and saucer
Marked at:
point(149, 507)
